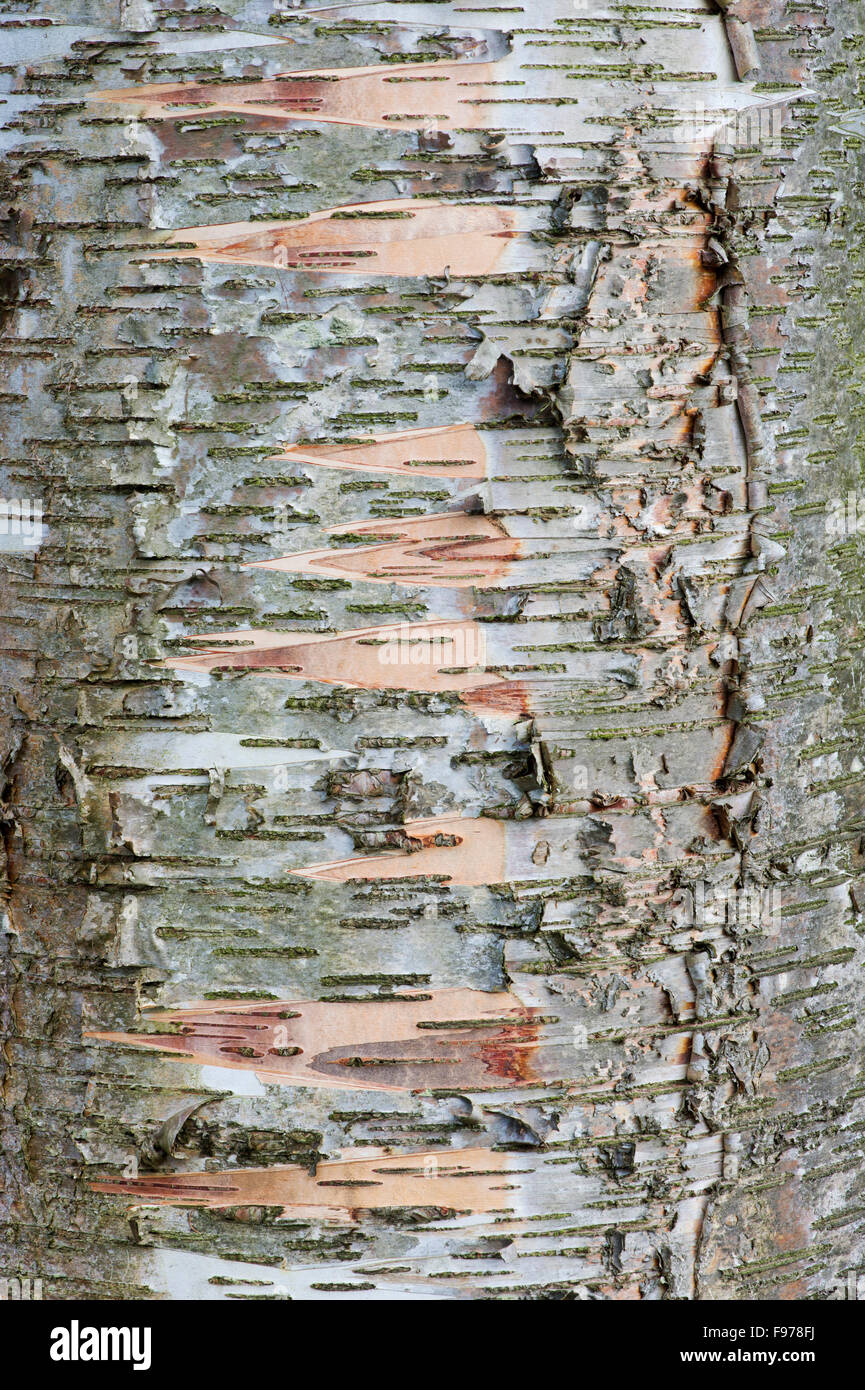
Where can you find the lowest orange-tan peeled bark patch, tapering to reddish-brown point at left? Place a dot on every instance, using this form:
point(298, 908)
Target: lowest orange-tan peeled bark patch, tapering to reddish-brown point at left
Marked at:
point(474, 1181)
